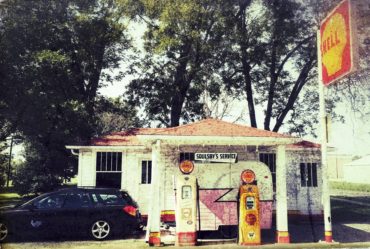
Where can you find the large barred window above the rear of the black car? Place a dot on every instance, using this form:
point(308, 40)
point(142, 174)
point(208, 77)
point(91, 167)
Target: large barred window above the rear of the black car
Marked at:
point(108, 169)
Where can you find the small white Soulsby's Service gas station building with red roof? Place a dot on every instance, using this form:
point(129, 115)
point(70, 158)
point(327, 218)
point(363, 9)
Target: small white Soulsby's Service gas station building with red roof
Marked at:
point(145, 162)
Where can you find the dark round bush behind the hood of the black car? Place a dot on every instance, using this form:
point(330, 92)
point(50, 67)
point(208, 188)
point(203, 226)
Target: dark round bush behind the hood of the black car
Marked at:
point(33, 179)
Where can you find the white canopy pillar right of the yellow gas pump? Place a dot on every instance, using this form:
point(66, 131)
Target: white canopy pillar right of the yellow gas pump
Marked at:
point(282, 234)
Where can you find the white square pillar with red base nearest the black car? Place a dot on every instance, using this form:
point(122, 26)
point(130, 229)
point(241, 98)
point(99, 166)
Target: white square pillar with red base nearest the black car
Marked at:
point(154, 213)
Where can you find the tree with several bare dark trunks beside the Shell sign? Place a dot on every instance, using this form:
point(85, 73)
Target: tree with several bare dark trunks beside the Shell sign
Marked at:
point(271, 56)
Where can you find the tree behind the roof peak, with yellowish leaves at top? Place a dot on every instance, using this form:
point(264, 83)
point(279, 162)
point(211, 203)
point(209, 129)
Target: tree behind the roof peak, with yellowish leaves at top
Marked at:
point(179, 61)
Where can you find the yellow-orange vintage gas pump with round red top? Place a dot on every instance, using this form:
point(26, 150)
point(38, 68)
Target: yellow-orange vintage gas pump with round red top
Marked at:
point(249, 217)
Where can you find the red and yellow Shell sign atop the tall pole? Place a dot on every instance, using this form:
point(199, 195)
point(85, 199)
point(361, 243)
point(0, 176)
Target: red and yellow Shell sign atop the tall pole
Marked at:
point(336, 43)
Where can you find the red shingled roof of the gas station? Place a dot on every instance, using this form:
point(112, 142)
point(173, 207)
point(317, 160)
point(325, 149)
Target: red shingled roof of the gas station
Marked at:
point(206, 127)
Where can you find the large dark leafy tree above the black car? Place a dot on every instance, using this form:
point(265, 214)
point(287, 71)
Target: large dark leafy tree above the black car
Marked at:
point(52, 57)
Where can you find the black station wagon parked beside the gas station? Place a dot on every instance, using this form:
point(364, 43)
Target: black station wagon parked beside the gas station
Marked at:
point(99, 213)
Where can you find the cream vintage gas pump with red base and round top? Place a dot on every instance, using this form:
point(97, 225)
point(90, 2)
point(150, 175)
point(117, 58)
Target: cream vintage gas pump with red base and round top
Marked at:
point(186, 206)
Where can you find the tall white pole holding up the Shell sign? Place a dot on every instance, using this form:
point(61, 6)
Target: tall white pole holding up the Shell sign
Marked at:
point(324, 165)
